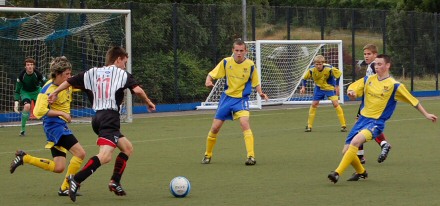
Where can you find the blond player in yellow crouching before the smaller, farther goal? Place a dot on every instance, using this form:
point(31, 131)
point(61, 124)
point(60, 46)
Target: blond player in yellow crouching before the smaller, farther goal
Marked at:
point(324, 76)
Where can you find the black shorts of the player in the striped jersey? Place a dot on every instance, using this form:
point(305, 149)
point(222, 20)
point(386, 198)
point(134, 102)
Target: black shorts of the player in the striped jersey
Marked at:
point(107, 124)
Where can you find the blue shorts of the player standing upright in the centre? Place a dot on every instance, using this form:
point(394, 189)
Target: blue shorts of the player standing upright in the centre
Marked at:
point(229, 105)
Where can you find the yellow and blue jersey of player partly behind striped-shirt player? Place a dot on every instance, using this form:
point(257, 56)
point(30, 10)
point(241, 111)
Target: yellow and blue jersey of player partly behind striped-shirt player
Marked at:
point(61, 104)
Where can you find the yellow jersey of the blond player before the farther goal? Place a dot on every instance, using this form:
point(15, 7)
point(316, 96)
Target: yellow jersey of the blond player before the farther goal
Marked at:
point(325, 79)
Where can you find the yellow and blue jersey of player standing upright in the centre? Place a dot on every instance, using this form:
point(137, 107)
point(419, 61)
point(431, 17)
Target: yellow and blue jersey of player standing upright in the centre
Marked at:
point(240, 78)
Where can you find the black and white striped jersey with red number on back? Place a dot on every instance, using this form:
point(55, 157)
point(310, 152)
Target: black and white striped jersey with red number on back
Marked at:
point(105, 86)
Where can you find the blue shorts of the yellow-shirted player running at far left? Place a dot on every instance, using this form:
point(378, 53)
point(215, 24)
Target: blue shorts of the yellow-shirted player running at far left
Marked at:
point(55, 128)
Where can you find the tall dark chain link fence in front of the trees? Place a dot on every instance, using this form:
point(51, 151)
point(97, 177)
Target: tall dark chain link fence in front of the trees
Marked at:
point(176, 45)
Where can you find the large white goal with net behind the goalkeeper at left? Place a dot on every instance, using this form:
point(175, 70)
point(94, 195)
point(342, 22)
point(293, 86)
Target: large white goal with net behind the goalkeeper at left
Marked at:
point(82, 35)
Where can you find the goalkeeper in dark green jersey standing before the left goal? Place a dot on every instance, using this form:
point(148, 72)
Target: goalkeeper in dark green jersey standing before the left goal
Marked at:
point(28, 86)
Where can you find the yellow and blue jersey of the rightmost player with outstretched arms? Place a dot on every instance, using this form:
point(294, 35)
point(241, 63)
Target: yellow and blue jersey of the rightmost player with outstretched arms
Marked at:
point(380, 96)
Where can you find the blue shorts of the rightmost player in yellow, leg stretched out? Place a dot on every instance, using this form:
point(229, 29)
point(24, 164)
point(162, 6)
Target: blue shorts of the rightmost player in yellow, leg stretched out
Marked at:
point(375, 126)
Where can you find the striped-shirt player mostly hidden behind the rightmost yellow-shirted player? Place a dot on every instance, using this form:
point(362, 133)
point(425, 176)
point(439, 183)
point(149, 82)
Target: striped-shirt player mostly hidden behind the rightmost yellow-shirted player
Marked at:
point(370, 53)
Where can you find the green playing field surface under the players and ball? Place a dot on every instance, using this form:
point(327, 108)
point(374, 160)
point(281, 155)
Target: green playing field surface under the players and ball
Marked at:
point(292, 165)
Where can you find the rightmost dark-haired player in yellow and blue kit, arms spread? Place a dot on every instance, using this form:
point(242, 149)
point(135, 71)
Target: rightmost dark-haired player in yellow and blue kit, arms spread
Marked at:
point(380, 95)
